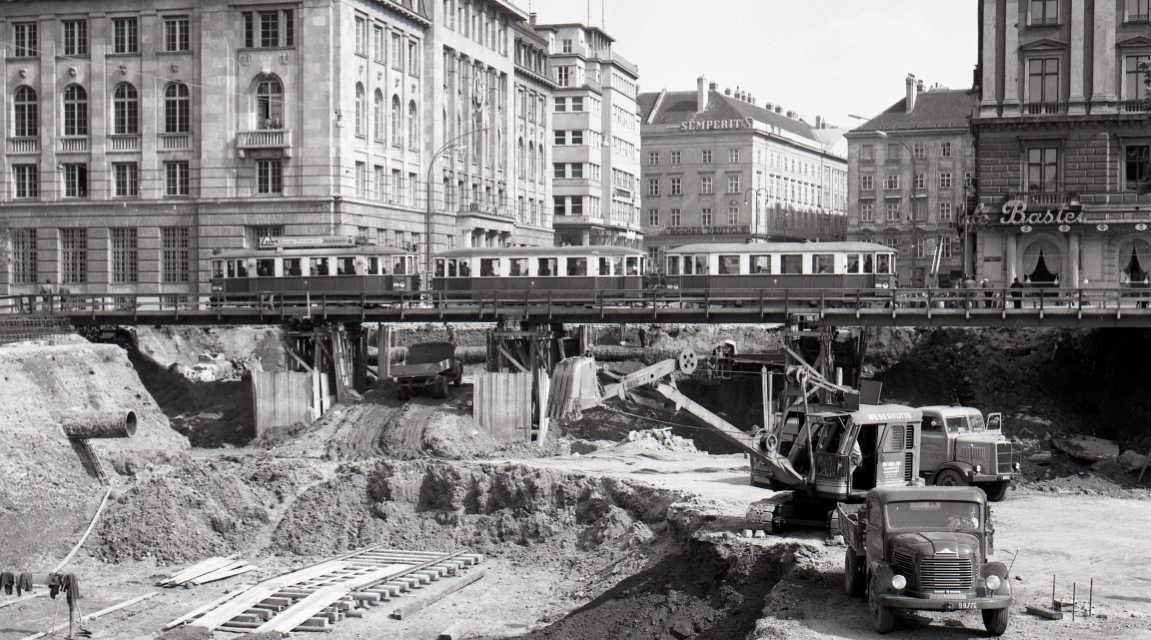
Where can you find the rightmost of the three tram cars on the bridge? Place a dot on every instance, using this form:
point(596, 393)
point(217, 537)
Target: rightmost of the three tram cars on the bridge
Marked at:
point(754, 266)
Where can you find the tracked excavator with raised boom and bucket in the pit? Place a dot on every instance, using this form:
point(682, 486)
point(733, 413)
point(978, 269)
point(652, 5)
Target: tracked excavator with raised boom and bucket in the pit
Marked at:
point(821, 448)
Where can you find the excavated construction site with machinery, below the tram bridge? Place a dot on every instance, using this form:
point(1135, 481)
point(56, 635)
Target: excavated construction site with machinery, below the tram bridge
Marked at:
point(500, 481)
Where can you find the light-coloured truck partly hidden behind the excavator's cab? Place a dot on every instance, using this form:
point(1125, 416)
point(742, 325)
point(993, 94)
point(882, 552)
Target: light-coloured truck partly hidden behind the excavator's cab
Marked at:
point(959, 448)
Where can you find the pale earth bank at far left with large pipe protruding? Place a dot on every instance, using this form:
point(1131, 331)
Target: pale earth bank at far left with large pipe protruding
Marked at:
point(49, 494)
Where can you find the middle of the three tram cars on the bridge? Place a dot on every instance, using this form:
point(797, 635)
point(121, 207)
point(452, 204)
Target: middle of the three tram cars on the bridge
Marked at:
point(540, 269)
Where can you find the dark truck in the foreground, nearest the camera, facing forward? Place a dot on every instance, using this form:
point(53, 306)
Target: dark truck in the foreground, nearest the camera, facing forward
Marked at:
point(925, 548)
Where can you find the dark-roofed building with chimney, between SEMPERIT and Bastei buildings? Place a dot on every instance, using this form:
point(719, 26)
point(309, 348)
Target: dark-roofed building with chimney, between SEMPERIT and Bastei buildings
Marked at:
point(909, 172)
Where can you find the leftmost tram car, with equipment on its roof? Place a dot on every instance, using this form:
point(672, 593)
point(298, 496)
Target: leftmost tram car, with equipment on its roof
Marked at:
point(319, 265)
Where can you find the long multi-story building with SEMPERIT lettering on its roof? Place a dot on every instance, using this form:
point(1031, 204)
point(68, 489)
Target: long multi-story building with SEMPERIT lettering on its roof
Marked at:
point(720, 169)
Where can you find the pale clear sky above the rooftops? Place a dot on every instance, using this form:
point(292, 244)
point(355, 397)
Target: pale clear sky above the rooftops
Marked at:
point(829, 58)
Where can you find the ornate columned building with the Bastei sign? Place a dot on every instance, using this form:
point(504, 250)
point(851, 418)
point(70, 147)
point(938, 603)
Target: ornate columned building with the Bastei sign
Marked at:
point(1063, 143)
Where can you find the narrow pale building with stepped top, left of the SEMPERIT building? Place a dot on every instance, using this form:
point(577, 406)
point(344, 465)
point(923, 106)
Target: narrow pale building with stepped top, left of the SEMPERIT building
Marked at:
point(597, 135)
